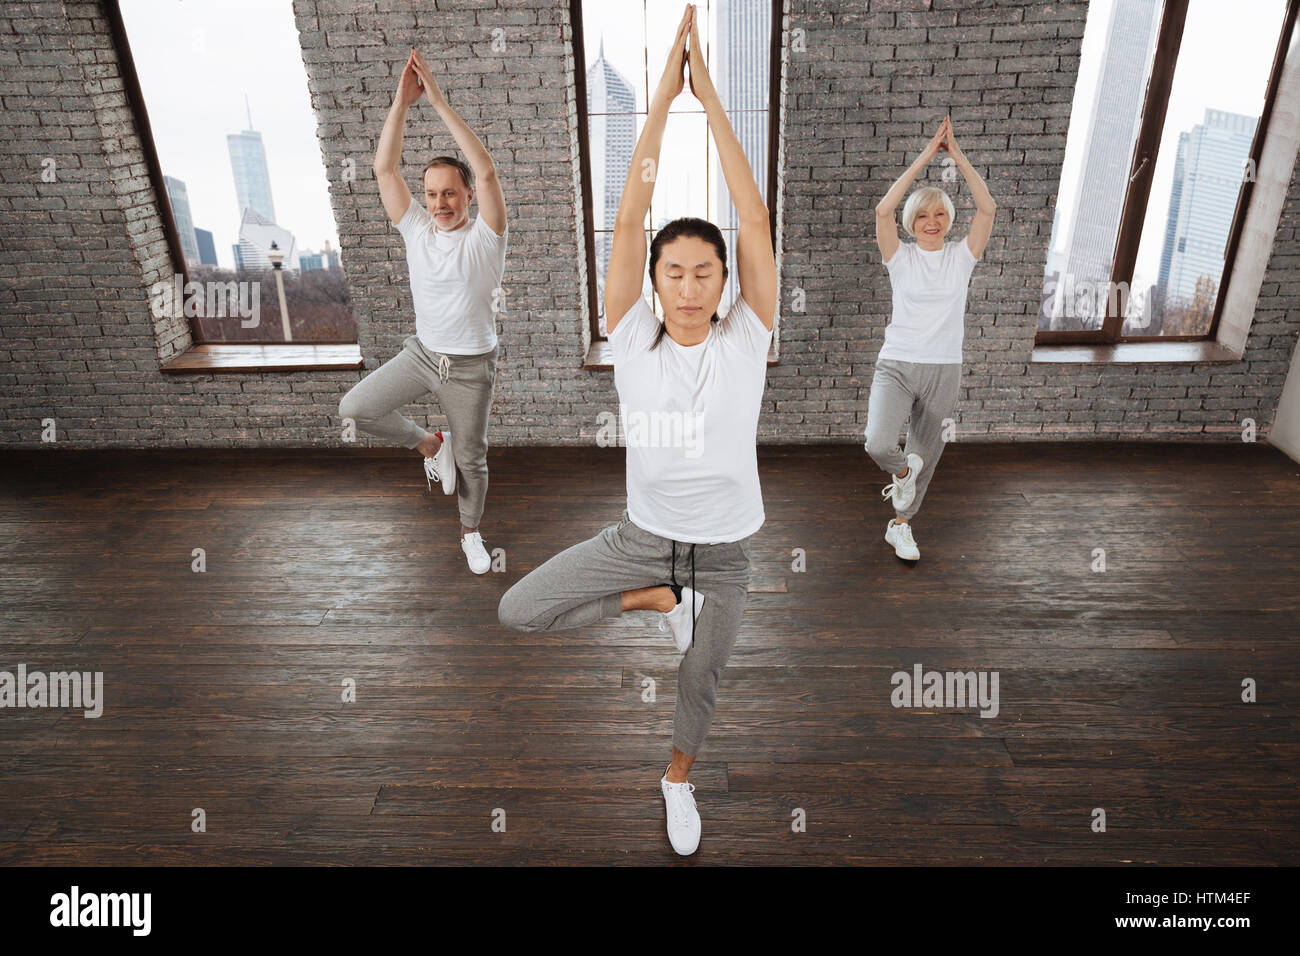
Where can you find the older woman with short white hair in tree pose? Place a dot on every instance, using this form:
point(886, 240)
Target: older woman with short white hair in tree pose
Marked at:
point(920, 366)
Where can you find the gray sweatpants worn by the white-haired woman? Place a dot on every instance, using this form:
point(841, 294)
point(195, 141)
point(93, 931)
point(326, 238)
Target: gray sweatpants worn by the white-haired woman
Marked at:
point(928, 392)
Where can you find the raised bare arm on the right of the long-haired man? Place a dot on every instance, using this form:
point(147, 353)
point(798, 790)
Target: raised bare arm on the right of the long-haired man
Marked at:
point(756, 263)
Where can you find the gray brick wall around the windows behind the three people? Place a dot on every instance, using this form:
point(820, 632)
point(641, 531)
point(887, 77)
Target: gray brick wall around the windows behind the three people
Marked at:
point(77, 257)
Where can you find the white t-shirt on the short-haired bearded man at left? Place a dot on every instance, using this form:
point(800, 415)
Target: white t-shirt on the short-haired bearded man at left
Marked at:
point(454, 278)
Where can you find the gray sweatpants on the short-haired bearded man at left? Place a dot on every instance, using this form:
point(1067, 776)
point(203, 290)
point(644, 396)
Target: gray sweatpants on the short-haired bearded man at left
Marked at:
point(463, 386)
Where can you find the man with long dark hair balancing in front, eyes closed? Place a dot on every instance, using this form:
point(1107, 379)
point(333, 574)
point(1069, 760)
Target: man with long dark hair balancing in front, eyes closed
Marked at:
point(694, 494)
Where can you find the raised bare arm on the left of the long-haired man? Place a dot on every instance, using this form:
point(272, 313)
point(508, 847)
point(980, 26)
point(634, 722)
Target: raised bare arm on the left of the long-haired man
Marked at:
point(625, 279)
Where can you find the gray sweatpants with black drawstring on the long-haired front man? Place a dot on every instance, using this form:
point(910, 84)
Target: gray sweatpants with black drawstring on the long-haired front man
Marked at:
point(584, 585)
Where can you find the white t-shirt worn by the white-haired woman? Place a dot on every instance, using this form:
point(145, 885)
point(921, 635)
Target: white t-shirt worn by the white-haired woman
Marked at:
point(929, 304)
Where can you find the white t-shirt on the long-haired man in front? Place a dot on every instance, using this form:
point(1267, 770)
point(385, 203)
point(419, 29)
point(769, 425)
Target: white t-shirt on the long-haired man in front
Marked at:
point(691, 422)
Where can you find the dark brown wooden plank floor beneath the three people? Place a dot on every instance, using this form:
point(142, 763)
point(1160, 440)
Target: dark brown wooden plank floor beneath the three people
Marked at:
point(223, 690)
